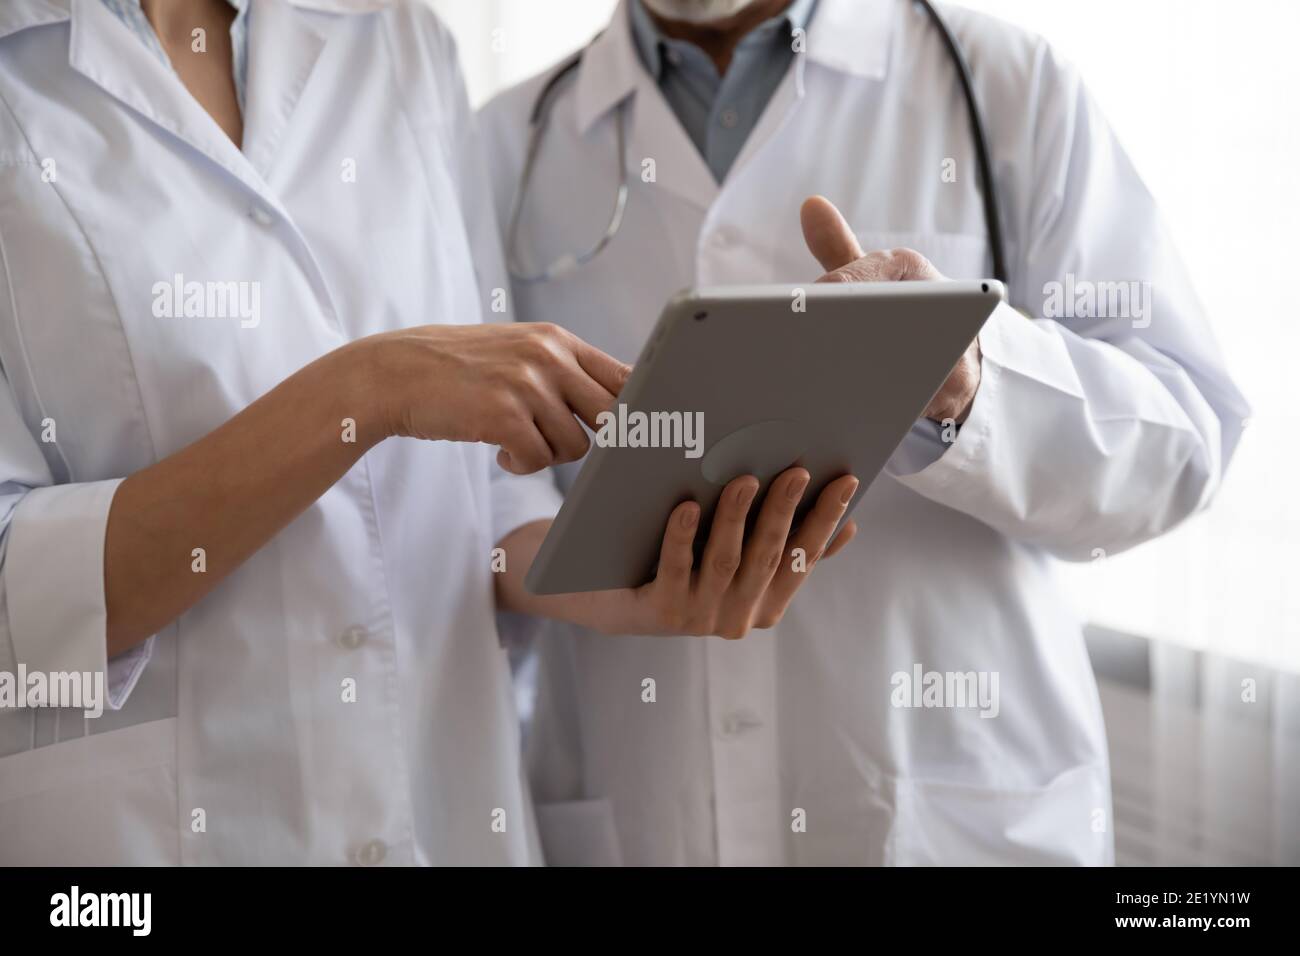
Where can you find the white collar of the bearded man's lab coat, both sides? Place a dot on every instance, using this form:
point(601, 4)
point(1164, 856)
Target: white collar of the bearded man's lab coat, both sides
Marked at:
point(848, 36)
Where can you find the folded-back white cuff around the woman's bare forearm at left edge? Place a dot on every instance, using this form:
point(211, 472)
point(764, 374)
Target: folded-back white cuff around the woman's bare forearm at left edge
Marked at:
point(55, 587)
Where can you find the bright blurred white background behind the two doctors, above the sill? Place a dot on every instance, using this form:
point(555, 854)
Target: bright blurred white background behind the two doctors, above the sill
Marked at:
point(1202, 94)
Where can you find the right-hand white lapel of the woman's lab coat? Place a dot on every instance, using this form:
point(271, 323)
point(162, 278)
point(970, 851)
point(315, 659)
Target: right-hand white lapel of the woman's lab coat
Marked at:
point(285, 46)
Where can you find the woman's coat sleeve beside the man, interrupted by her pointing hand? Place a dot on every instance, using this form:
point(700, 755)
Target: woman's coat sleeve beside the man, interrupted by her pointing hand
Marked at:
point(515, 500)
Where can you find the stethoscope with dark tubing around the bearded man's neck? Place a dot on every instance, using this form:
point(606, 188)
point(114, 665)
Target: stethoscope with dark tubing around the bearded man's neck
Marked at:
point(566, 265)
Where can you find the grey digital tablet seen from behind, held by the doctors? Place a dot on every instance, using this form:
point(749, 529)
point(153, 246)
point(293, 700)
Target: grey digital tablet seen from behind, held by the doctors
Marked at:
point(753, 380)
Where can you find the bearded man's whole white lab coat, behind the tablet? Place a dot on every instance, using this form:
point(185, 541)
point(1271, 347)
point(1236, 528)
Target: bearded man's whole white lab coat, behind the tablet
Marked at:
point(1086, 438)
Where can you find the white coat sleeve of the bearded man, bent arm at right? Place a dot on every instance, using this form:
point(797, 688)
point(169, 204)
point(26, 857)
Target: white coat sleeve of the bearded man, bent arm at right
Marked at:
point(1094, 432)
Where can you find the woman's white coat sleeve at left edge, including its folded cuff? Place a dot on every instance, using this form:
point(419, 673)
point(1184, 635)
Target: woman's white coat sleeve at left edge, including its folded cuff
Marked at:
point(53, 566)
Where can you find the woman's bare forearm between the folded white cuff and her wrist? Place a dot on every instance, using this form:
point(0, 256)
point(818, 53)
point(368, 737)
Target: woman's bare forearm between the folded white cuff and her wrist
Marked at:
point(231, 492)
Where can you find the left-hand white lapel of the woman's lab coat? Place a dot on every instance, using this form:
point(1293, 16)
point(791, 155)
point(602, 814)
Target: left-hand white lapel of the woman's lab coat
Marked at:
point(106, 53)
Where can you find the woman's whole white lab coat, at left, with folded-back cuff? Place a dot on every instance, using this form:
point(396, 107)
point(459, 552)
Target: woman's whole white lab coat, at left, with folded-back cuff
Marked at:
point(232, 741)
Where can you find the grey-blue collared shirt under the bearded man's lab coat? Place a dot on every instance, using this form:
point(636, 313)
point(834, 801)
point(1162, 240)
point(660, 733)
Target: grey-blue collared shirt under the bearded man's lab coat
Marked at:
point(720, 113)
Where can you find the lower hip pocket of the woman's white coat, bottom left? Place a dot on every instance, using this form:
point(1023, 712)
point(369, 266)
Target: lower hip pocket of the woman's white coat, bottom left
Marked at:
point(99, 801)
